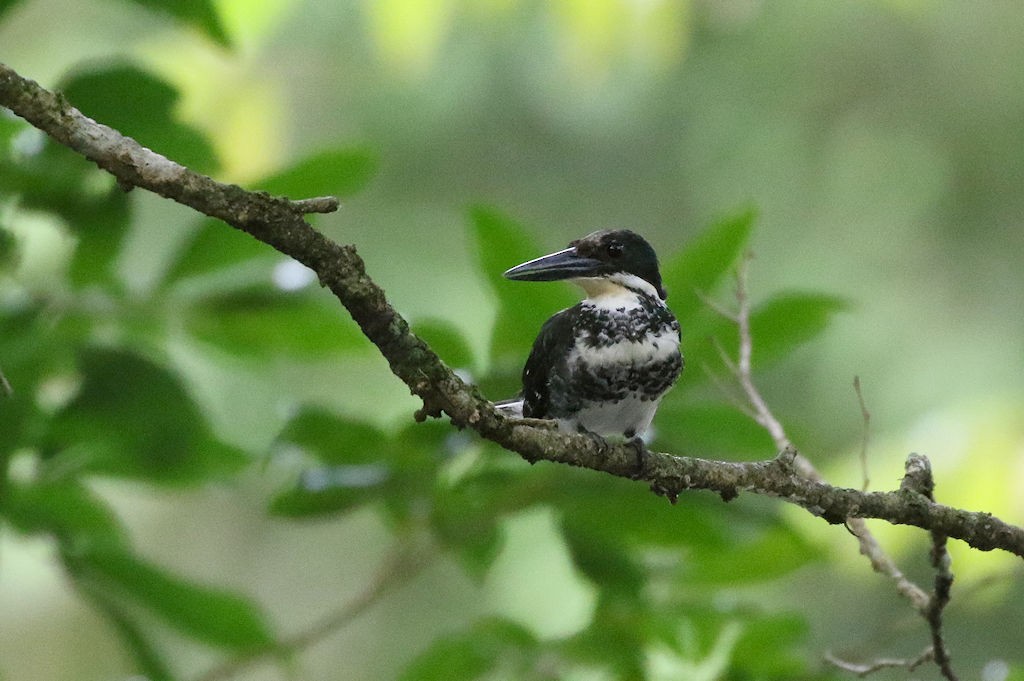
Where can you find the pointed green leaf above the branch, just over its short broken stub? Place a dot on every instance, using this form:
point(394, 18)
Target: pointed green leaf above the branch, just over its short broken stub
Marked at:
point(335, 173)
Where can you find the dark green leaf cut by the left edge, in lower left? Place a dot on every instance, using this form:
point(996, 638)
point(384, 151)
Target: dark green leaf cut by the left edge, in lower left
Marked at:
point(67, 510)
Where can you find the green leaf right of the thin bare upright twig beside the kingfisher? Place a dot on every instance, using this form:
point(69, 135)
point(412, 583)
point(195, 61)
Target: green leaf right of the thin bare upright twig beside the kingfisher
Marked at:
point(787, 321)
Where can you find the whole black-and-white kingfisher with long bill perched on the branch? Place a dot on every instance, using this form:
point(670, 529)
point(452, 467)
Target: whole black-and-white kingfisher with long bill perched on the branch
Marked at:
point(604, 365)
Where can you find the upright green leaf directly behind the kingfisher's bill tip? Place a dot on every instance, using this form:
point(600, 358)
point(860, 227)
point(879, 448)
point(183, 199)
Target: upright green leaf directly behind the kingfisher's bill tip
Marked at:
point(524, 308)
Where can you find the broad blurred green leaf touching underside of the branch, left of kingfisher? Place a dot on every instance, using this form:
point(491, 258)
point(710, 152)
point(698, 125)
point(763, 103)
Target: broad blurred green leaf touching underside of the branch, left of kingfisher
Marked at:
point(264, 324)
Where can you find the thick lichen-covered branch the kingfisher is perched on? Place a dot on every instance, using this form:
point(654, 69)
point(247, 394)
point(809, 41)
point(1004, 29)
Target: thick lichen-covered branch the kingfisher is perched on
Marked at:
point(279, 223)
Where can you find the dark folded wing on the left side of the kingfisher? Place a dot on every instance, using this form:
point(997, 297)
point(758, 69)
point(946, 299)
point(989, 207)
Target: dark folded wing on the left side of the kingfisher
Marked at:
point(547, 362)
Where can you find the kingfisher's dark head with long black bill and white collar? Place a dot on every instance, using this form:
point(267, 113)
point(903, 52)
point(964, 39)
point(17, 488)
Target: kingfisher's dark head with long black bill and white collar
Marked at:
point(599, 263)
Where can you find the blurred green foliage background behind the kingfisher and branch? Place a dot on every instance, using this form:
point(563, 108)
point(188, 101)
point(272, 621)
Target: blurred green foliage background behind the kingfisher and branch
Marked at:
point(203, 458)
